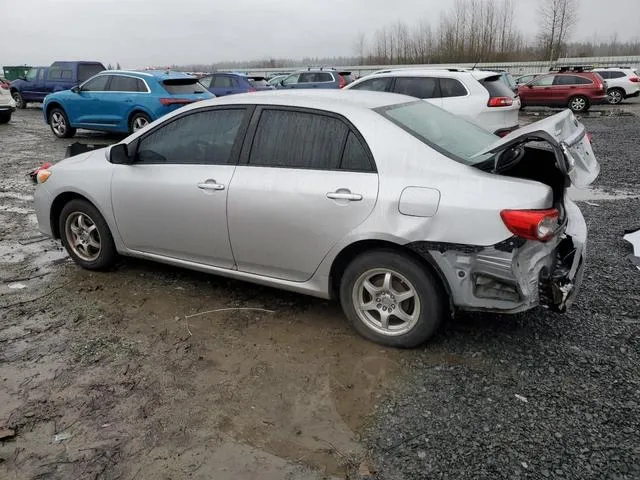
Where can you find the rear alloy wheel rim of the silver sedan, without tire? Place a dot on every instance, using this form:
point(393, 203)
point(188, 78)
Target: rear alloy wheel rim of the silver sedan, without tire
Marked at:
point(386, 302)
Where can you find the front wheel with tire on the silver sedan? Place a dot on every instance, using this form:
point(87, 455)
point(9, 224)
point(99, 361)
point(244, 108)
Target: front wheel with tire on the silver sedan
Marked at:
point(86, 236)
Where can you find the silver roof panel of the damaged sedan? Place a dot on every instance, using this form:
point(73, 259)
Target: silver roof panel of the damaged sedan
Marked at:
point(338, 101)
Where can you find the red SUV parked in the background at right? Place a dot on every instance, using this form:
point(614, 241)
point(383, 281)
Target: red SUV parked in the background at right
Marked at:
point(576, 90)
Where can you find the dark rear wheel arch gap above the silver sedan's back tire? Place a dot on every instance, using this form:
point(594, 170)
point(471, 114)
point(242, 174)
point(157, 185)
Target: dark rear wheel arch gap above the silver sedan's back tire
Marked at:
point(351, 251)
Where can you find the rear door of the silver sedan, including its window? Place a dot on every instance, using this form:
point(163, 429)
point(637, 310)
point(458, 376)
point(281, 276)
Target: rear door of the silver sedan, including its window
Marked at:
point(304, 181)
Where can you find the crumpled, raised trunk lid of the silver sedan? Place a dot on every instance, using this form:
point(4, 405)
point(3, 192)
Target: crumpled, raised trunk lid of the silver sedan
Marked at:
point(568, 138)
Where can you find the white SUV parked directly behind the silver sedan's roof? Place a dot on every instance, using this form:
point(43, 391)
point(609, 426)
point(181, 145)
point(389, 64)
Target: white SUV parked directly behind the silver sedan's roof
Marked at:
point(479, 96)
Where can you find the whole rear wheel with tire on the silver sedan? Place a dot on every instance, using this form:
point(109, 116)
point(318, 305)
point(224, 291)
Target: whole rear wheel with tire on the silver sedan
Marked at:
point(423, 311)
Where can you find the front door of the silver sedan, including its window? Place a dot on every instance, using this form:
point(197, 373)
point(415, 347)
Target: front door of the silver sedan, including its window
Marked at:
point(172, 200)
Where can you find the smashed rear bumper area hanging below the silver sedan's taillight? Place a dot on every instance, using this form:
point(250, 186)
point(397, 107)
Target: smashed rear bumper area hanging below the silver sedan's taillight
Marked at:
point(514, 275)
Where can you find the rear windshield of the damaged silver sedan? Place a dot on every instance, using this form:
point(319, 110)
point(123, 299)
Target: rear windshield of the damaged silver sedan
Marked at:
point(441, 130)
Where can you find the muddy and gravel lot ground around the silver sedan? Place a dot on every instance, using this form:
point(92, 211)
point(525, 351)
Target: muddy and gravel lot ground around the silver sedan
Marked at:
point(113, 375)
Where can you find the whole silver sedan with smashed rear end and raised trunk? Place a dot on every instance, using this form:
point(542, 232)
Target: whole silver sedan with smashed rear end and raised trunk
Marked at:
point(399, 209)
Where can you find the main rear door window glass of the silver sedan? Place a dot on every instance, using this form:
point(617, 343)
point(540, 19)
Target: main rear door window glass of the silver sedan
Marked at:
point(297, 139)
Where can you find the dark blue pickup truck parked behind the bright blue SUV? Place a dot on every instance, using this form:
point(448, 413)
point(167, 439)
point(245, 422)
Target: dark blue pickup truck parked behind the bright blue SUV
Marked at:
point(41, 81)
